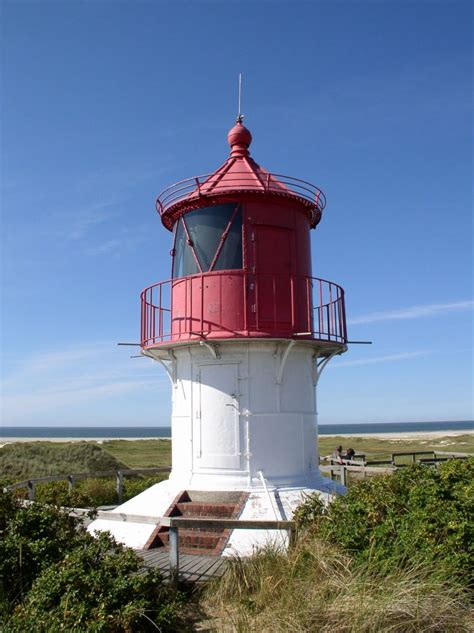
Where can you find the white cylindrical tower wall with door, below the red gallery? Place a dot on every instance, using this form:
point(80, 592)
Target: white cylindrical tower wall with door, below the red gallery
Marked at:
point(242, 412)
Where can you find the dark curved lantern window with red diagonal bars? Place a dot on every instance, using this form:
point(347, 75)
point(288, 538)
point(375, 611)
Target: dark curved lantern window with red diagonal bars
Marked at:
point(206, 228)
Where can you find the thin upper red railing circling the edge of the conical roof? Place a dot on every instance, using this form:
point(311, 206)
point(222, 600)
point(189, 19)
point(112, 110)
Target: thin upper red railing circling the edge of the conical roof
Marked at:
point(194, 188)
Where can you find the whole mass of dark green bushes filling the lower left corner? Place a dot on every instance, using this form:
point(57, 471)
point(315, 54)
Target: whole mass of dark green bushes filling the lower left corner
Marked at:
point(54, 576)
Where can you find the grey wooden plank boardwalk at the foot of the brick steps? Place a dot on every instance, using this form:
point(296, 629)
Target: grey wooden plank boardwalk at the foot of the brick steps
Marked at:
point(193, 568)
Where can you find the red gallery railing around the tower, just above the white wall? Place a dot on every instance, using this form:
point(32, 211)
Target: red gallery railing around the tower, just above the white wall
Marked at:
point(263, 305)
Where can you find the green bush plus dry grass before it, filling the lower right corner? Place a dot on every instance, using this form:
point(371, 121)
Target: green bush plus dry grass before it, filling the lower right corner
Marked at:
point(395, 554)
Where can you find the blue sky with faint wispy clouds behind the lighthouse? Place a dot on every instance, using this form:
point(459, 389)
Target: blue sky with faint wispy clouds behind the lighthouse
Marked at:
point(106, 103)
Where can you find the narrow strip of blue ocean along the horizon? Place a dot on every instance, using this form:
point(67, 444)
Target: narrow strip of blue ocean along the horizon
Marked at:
point(115, 432)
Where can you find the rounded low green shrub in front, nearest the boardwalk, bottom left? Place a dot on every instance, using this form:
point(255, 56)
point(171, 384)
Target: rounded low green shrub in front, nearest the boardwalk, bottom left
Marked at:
point(97, 588)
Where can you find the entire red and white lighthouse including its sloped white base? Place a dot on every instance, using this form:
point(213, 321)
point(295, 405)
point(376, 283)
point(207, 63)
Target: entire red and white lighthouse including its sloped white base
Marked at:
point(243, 330)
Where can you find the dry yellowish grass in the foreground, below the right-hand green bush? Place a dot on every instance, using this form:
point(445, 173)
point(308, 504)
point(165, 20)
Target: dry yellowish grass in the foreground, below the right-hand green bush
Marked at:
point(315, 588)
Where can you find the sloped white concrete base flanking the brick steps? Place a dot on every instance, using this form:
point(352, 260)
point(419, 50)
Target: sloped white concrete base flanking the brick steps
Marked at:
point(278, 504)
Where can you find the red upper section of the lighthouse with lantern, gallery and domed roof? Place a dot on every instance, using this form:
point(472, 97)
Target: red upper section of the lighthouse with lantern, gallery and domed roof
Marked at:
point(241, 258)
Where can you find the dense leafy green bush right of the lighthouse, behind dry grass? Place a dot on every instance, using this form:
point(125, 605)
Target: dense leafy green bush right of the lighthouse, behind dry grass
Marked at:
point(415, 514)
